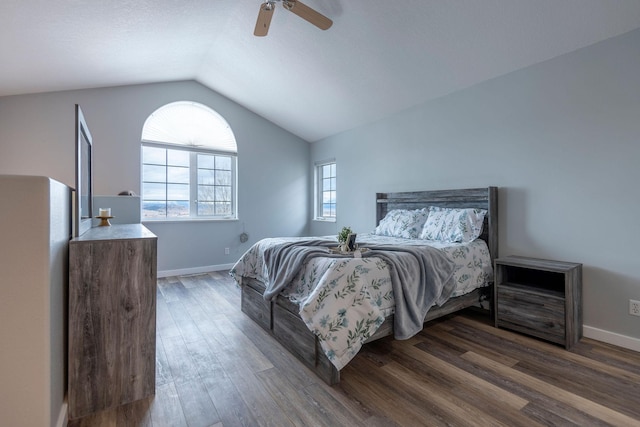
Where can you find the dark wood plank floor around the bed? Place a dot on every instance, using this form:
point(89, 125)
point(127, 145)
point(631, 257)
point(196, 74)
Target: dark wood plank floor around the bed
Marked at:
point(215, 367)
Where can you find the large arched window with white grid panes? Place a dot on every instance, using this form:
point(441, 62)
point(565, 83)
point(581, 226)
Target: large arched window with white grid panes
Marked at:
point(189, 162)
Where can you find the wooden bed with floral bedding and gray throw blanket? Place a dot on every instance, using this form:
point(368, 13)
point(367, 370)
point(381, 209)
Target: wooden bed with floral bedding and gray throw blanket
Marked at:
point(273, 299)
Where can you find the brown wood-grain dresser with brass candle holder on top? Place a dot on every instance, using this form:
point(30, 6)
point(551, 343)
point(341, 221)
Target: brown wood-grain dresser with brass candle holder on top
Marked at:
point(112, 317)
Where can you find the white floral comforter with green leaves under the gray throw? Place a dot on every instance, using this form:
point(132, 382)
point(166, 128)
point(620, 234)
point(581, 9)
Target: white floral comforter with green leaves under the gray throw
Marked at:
point(344, 300)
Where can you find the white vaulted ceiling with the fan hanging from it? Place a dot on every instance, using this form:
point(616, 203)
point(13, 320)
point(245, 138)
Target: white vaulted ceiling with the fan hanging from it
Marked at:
point(378, 58)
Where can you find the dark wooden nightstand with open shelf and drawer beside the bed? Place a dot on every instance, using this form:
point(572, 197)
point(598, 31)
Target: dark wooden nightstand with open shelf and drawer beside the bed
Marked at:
point(538, 297)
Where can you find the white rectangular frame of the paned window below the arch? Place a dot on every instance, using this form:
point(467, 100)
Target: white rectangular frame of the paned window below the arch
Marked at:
point(193, 183)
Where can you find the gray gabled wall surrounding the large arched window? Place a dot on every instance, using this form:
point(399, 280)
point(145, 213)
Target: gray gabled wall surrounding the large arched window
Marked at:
point(37, 137)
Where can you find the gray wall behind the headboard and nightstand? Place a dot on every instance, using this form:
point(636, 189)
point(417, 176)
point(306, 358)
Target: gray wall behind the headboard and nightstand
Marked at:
point(562, 141)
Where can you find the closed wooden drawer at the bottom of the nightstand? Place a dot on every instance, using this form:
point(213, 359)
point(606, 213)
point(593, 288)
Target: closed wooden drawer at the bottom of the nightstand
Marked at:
point(533, 313)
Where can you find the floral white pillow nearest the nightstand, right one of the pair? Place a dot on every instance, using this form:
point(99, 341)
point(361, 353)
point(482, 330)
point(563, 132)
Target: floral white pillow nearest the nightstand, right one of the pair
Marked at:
point(453, 225)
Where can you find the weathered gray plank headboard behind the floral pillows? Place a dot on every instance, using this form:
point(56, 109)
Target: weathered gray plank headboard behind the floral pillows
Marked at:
point(483, 198)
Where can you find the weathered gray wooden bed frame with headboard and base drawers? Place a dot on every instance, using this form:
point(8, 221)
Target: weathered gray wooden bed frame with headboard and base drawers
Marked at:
point(280, 317)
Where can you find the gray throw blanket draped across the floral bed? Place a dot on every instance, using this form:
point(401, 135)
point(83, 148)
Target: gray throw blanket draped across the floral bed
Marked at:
point(421, 276)
